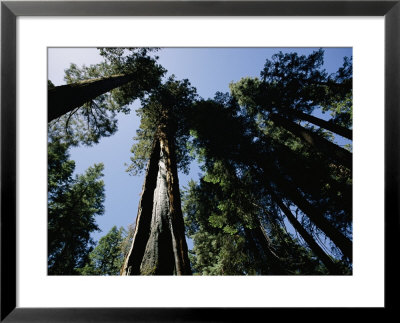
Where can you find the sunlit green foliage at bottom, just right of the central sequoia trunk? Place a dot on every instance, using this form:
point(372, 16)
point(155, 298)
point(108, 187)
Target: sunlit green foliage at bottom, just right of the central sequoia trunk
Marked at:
point(234, 248)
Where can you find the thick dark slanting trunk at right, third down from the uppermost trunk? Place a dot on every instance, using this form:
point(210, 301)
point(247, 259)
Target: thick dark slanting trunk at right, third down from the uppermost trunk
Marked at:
point(315, 215)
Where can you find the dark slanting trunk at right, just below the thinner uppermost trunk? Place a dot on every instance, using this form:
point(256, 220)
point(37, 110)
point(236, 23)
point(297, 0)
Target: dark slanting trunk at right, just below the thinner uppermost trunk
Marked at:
point(336, 153)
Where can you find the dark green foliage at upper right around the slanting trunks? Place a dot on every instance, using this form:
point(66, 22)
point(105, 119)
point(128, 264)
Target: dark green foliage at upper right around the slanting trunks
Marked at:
point(298, 83)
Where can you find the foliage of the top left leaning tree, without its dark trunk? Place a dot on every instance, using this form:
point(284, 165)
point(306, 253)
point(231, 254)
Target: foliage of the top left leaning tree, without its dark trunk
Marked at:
point(97, 119)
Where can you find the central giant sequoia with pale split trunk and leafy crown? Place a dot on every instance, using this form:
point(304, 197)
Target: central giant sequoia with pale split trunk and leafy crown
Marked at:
point(159, 246)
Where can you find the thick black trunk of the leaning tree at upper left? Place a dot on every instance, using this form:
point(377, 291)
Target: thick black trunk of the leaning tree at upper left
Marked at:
point(64, 98)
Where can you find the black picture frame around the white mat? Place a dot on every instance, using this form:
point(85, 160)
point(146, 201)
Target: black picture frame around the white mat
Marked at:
point(10, 10)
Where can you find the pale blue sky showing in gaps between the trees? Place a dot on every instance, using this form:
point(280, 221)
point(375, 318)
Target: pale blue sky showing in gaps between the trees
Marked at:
point(208, 69)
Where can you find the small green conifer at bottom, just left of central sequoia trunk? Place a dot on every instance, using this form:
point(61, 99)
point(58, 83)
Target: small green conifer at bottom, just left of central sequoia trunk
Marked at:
point(108, 256)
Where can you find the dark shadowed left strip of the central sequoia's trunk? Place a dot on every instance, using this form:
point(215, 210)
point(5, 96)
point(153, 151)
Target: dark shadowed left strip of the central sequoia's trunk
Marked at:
point(145, 210)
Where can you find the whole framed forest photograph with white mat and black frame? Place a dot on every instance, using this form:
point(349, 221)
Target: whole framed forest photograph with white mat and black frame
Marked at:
point(37, 35)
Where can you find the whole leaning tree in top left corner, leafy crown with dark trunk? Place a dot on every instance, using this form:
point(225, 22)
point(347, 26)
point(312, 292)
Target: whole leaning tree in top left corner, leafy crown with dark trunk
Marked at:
point(87, 122)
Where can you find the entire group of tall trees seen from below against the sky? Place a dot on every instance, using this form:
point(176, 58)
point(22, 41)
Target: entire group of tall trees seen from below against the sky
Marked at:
point(274, 192)
